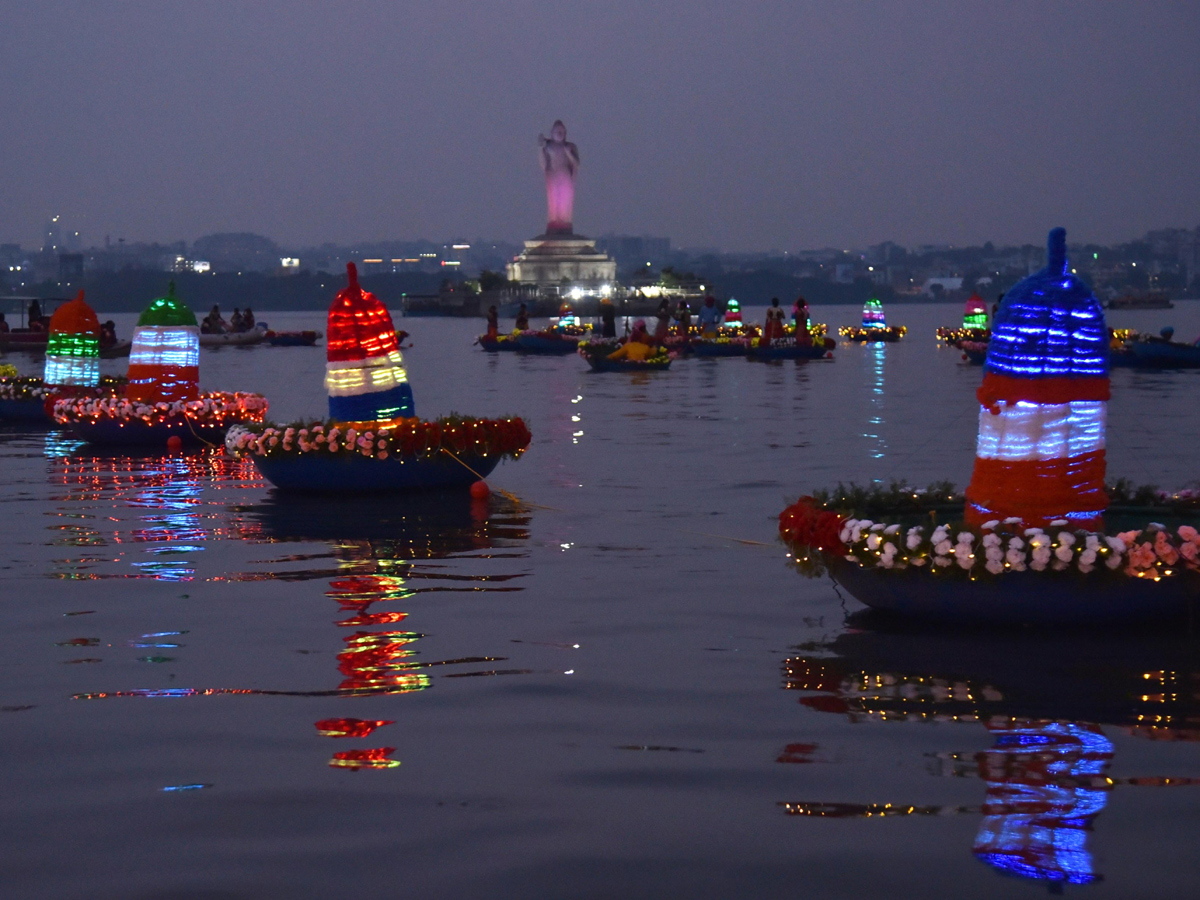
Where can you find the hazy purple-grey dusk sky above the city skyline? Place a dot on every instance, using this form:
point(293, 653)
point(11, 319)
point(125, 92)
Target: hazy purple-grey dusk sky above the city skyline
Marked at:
point(740, 125)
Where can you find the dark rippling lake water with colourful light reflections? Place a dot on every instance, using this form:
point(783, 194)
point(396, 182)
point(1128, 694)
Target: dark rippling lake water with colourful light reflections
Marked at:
point(616, 687)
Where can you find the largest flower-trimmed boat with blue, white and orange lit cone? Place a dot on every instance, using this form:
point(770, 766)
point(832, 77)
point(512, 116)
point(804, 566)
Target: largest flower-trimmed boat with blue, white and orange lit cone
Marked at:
point(1028, 544)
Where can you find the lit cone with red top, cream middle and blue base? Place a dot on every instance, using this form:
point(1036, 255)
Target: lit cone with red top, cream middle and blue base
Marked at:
point(365, 374)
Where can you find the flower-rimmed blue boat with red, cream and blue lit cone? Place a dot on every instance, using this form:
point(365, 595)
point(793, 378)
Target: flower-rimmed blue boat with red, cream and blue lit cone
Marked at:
point(373, 441)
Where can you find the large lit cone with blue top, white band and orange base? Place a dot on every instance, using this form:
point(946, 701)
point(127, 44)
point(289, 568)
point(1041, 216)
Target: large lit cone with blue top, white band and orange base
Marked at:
point(1043, 403)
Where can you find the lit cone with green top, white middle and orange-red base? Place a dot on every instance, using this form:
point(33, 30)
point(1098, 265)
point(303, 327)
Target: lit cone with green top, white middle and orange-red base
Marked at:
point(165, 361)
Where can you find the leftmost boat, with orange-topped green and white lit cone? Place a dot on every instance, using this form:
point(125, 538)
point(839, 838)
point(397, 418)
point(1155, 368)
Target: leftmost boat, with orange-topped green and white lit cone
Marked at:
point(73, 368)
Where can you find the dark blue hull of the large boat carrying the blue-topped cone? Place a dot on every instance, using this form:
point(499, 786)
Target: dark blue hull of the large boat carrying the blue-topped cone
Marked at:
point(1025, 598)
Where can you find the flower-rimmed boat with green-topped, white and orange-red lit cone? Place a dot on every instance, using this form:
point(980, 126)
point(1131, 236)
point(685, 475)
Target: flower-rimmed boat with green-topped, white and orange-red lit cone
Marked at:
point(163, 404)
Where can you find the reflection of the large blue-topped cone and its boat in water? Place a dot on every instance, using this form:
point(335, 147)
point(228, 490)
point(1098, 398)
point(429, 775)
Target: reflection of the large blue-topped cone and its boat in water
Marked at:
point(1047, 779)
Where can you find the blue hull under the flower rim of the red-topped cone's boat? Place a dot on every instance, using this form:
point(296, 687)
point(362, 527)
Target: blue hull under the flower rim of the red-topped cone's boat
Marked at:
point(311, 473)
